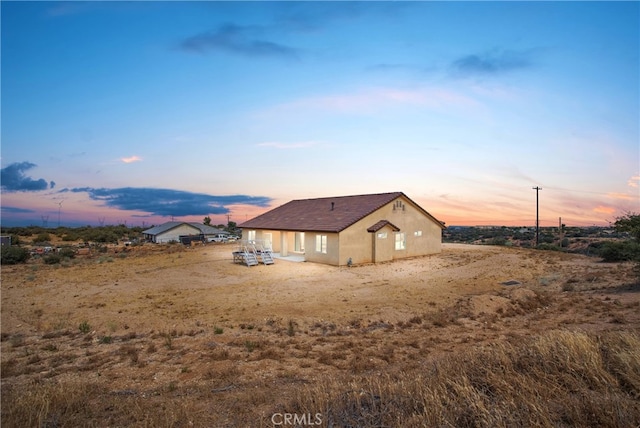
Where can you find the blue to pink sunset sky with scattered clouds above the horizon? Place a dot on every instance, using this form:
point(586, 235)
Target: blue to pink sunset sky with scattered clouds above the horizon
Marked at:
point(139, 113)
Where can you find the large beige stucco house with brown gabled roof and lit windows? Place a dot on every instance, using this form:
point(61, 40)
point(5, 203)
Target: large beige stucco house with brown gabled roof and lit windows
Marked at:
point(347, 230)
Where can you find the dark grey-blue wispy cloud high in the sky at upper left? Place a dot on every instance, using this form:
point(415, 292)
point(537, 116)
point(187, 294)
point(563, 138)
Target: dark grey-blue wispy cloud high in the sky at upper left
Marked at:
point(236, 39)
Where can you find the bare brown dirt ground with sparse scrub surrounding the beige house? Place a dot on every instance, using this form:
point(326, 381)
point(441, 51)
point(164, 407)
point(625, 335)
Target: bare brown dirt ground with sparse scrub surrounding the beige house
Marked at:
point(181, 336)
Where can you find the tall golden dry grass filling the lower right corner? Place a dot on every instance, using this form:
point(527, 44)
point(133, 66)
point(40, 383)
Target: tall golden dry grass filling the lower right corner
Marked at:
point(560, 378)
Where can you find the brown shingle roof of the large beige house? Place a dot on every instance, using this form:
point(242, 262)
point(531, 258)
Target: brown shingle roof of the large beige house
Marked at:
point(332, 214)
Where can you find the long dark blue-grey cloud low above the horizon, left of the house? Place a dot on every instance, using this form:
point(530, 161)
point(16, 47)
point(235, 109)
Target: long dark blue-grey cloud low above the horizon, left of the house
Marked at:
point(168, 202)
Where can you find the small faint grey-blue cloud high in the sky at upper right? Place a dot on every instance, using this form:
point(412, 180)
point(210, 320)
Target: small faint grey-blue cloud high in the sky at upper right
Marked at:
point(491, 63)
